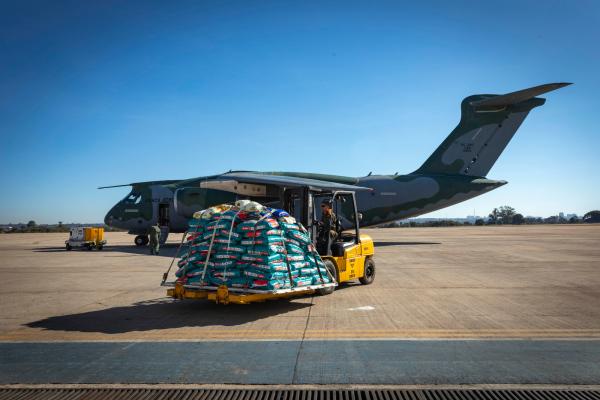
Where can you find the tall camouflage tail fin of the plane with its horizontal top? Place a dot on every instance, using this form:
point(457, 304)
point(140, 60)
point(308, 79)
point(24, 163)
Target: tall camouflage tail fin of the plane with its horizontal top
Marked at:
point(488, 122)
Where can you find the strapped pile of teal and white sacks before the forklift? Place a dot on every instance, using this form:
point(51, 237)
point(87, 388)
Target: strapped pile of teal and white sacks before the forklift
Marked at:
point(249, 246)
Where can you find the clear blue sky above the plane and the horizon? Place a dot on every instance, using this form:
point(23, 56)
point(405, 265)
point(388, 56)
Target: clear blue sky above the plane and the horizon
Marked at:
point(117, 92)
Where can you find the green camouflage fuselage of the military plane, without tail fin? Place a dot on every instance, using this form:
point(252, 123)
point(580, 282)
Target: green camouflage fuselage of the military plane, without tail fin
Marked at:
point(391, 198)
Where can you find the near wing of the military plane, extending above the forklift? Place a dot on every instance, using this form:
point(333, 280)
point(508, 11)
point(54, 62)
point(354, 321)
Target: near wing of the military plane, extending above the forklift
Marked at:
point(288, 181)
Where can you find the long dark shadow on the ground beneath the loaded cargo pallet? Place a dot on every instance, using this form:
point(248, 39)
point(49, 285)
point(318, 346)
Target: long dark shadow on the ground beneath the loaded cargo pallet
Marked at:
point(165, 314)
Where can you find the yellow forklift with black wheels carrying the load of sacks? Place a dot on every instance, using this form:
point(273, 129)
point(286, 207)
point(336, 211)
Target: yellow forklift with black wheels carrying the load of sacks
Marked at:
point(350, 255)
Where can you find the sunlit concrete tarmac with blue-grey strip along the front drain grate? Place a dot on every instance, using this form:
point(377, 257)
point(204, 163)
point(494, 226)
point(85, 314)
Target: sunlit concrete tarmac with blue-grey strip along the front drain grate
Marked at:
point(463, 305)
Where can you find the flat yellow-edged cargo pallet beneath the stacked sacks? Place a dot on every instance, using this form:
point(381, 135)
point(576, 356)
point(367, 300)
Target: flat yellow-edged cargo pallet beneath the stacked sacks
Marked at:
point(225, 295)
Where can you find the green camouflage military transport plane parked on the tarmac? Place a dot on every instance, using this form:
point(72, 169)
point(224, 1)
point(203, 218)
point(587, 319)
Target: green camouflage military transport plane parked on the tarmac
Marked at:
point(455, 172)
